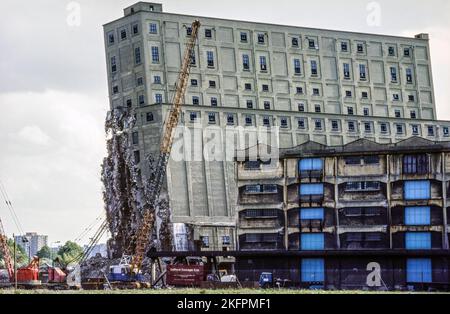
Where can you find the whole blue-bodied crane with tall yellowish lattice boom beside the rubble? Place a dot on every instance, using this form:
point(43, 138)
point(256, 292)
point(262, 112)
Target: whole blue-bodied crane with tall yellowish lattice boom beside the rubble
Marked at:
point(128, 272)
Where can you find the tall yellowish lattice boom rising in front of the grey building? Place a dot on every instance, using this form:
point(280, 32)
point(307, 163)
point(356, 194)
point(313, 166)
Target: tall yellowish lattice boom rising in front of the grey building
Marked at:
point(170, 125)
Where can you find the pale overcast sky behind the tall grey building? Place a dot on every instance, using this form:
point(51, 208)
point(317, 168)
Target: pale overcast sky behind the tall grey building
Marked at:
point(53, 90)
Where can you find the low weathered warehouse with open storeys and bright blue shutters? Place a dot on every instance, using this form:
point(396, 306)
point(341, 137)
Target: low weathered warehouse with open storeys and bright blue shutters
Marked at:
point(334, 215)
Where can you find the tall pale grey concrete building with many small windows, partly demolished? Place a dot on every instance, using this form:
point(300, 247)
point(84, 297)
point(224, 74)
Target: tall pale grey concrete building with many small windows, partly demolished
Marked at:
point(327, 86)
